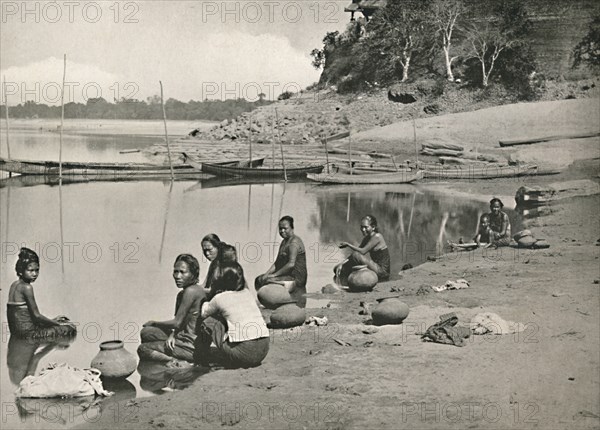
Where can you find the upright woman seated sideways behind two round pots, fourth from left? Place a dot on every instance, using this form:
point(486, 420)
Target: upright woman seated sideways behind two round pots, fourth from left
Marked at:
point(290, 264)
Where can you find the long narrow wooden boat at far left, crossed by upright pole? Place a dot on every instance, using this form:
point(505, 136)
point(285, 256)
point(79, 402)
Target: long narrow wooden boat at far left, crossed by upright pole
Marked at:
point(91, 169)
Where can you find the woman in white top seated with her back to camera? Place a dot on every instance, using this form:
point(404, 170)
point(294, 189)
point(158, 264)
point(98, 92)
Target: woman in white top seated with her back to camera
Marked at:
point(233, 322)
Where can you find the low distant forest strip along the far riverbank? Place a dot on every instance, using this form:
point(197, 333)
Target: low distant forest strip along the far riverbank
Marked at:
point(99, 108)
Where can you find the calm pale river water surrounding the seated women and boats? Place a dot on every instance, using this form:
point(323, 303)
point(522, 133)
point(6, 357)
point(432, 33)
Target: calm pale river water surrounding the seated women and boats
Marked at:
point(119, 241)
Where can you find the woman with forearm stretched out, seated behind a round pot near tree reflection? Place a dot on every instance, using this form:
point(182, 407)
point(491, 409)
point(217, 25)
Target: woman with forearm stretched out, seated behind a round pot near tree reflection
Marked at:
point(372, 252)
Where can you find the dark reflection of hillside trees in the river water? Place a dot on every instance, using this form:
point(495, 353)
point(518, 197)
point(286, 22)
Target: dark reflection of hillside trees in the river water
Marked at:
point(414, 224)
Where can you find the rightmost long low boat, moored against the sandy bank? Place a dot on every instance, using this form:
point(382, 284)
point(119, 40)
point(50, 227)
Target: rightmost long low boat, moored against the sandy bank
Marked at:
point(491, 172)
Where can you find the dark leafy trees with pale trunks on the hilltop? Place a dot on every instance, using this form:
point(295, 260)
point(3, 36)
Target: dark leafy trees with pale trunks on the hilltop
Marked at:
point(407, 39)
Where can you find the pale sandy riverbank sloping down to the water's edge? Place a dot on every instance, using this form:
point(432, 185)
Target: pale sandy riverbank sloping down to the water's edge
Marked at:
point(545, 377)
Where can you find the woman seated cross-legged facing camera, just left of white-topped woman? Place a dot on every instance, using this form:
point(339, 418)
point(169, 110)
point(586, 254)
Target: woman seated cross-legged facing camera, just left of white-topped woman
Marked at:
point(173, 340)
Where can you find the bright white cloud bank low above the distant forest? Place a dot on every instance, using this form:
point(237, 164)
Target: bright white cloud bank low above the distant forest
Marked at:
point(215, 66)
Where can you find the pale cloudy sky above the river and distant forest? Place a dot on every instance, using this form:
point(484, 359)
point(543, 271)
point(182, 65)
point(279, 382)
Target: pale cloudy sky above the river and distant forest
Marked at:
point(198, 49)
